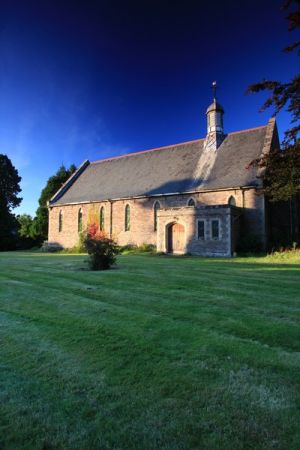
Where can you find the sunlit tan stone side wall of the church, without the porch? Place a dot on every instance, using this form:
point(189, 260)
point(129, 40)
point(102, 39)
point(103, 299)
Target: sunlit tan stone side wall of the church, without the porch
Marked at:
point(142, 216)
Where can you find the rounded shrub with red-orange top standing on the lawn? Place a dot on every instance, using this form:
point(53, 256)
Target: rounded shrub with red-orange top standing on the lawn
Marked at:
point(101, 249)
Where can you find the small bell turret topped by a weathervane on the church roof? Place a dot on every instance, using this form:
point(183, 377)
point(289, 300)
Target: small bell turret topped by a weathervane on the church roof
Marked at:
point(215, 132)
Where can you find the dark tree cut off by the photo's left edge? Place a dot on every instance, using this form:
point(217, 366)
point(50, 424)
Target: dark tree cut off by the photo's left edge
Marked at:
point(9, 190)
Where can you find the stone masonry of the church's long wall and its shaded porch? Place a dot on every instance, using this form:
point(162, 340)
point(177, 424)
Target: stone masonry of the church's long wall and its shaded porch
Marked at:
point(142, 219)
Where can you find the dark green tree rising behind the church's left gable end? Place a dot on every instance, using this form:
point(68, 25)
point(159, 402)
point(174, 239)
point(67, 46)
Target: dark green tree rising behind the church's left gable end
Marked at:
point(54, 183)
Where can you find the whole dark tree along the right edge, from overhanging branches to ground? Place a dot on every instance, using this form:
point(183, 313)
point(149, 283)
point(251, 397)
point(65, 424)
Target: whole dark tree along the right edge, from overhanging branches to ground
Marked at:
point(281, 167)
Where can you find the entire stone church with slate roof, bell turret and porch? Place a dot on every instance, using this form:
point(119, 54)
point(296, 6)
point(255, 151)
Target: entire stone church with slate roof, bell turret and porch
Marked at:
point(195, 197)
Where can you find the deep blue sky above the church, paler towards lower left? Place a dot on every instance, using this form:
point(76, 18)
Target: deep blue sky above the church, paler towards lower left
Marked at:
point(98, 78)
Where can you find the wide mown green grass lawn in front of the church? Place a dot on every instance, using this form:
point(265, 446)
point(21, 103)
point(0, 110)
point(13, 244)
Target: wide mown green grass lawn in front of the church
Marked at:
point(158, 353)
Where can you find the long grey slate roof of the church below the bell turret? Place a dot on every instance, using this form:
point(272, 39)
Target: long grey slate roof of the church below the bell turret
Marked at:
point(166, 170)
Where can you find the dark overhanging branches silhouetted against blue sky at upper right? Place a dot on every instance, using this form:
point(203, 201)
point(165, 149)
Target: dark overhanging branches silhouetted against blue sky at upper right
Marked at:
point(285, 94)
